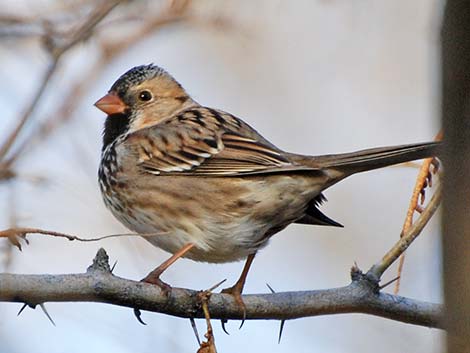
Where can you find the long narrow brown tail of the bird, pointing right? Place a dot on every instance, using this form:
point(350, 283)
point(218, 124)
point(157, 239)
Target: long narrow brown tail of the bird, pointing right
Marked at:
point(361, 161)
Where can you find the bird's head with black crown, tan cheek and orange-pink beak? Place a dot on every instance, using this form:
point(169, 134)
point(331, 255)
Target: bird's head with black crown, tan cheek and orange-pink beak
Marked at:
point(143, 96)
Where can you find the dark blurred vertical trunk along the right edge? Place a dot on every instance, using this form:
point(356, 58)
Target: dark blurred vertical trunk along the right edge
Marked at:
point(456, 217)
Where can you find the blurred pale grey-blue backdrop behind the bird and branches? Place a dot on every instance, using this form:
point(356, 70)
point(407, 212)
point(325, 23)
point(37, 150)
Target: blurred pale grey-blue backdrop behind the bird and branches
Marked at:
point(313, 76)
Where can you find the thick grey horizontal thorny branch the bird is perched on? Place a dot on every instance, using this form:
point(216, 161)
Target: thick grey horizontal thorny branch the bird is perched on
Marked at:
point(98, 284)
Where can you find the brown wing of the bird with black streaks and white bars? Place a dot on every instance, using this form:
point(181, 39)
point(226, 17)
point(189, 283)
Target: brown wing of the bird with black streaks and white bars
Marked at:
point(197, 143)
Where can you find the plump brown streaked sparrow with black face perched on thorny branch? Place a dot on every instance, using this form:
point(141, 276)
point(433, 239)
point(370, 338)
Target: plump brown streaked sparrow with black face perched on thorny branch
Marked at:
point(207, 184)
